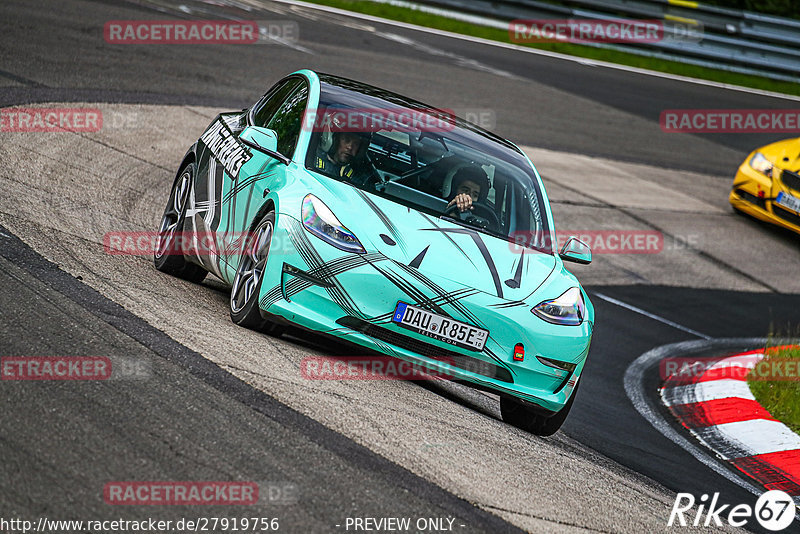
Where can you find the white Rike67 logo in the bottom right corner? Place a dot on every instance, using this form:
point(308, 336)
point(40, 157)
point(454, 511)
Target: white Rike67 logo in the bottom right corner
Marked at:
point(774, 511)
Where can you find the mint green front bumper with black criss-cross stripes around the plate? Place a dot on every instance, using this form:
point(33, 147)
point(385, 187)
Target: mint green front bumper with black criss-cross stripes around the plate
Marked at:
point(353, 296)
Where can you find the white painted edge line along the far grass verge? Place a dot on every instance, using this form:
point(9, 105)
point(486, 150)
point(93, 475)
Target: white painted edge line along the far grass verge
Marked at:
point(527, 50)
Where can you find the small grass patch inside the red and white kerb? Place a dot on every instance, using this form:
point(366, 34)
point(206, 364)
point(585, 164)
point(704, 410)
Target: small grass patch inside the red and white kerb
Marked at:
point(781, 397)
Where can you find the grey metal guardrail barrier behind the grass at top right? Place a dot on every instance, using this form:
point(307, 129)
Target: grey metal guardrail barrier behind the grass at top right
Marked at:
point(739, 41)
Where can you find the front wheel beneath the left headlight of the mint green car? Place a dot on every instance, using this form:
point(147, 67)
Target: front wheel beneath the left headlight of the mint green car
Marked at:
point(249, 275)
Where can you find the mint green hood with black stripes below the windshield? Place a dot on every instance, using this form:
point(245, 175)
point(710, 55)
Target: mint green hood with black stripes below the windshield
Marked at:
point(439, 248)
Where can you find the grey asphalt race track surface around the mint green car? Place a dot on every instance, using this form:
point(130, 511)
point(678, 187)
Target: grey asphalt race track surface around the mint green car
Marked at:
point(204, 415)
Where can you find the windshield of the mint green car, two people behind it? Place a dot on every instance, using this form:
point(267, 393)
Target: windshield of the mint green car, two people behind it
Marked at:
point(421, 157)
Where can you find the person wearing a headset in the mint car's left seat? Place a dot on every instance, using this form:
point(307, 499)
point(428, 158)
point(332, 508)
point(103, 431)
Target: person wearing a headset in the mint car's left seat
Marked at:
point(346, 157)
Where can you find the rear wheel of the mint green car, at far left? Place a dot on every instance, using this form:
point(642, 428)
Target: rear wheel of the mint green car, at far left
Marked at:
point(167, 258)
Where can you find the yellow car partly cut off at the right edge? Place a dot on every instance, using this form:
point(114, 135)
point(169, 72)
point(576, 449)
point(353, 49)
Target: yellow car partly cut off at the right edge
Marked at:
point(767, 184)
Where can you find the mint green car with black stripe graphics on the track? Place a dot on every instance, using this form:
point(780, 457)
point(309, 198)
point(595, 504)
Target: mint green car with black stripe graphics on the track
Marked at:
point(355, 212)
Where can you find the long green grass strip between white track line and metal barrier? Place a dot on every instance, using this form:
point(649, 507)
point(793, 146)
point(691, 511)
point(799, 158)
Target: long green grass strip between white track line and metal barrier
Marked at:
point(412, 16)
